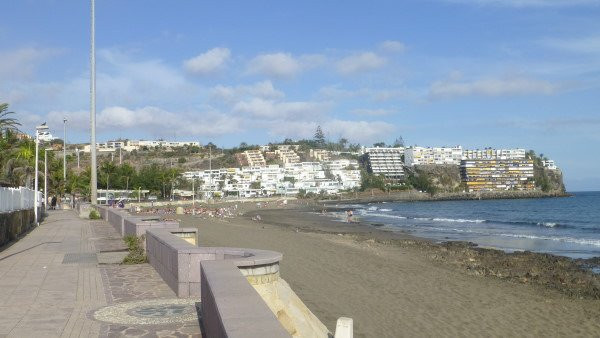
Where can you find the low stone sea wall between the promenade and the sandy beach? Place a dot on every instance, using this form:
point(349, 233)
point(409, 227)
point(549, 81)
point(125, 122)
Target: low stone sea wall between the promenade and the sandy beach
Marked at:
point(241, 291)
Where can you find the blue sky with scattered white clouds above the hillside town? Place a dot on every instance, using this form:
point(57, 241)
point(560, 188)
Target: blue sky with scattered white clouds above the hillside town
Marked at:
point(476, 73)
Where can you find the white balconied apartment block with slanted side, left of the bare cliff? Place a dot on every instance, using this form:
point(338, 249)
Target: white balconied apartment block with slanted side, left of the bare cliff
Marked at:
point(385, 161)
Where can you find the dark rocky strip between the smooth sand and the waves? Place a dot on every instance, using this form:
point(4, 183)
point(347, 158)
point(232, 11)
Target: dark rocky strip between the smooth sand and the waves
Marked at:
point(573, 277)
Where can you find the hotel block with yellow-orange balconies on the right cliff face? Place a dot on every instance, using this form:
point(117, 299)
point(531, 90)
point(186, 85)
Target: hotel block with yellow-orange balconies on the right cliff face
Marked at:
point(495, 175)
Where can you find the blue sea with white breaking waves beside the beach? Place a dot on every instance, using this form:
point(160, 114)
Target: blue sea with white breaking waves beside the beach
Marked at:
point(566, 226)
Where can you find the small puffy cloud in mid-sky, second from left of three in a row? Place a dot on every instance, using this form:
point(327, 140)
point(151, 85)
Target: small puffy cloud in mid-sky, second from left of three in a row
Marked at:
point(278, 65)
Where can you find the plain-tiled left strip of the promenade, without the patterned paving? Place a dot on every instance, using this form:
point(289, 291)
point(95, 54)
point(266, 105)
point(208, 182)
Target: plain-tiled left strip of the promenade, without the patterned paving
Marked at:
point(41, 296)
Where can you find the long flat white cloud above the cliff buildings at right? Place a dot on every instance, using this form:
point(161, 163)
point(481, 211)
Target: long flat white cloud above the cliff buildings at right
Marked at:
point(491, 87)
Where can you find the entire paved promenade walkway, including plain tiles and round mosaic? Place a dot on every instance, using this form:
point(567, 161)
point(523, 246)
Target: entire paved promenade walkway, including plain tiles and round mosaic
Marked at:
point(51, 285)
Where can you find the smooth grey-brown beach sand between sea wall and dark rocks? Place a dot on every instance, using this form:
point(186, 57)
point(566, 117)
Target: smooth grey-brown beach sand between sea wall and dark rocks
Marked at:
point(393, 290)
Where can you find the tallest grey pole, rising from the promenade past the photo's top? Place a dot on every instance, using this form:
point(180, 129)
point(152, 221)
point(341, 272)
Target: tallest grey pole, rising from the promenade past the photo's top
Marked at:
point(94, 177)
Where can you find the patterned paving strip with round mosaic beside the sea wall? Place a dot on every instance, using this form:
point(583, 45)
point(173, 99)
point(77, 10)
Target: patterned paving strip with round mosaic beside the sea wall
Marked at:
point(140, 304)
